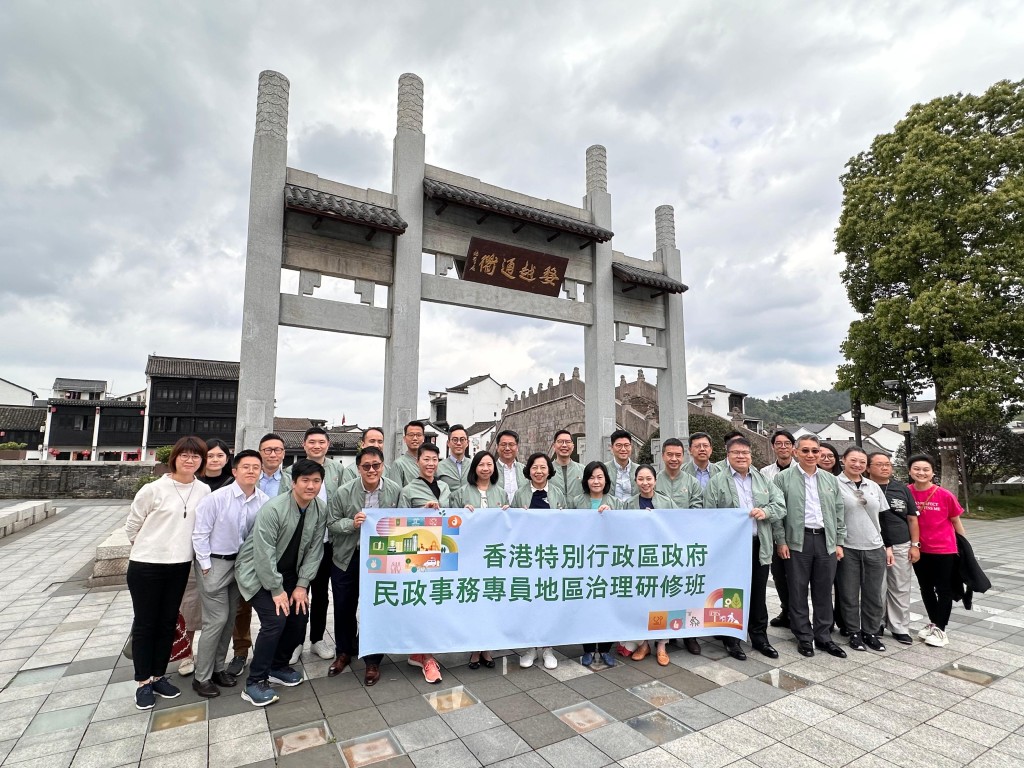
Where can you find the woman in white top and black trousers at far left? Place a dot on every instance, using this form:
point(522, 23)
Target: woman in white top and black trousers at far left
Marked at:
point(160, 528)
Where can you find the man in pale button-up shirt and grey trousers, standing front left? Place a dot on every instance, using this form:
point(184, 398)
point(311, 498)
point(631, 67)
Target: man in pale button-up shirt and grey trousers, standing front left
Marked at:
point(224, 520)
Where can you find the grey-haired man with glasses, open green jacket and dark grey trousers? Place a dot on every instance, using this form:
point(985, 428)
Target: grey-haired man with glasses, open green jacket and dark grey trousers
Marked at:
point(810, 540)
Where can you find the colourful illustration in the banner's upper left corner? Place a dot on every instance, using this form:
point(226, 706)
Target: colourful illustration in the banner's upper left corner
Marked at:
point(413, 545)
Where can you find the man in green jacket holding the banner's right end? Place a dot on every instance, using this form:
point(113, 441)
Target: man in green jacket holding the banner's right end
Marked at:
point(742, 487)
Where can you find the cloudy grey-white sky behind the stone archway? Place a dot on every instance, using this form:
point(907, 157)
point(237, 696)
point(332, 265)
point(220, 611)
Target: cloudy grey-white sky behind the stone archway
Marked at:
point(126, 137)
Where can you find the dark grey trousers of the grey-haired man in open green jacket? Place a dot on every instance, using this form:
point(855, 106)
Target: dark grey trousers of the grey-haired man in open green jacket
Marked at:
point(814, 568)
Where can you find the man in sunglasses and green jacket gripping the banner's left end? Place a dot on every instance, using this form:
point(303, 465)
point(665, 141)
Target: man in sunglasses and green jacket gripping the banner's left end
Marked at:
point(346, 517)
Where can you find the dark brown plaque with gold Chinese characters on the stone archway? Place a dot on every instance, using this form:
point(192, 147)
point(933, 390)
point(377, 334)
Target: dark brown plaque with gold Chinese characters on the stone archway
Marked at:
point(510, 267)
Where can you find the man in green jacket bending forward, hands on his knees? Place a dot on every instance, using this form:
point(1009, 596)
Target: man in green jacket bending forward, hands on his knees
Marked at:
point(274, 570)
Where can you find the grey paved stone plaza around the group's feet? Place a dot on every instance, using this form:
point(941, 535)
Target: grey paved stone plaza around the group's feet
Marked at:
point(67, 696)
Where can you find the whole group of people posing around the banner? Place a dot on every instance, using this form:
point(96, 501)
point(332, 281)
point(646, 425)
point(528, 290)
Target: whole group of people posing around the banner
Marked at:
point(283, 542)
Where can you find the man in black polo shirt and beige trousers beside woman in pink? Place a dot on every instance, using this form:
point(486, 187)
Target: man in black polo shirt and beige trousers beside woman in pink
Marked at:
point(901, 531)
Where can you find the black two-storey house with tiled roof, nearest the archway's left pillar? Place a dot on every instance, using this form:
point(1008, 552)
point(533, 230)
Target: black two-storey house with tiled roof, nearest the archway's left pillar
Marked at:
point(189, 397)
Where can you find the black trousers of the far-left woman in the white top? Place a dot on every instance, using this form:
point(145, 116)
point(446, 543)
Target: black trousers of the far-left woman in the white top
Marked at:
point(156, 594)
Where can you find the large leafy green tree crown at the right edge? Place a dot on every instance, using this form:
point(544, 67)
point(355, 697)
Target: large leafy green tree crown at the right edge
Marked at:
point(932, 229)
